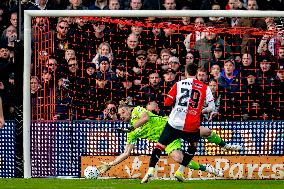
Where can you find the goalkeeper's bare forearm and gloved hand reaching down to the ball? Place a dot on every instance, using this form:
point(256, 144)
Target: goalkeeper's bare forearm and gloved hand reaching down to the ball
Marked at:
point(106, 166)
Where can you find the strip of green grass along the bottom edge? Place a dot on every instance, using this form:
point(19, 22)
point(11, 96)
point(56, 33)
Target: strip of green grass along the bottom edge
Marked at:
point(135, 184)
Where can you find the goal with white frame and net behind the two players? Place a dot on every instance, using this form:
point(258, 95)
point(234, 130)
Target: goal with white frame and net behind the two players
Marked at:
point(64, 114)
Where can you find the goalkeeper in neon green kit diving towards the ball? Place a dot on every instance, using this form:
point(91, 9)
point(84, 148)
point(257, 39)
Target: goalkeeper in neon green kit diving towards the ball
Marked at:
point(146, 125)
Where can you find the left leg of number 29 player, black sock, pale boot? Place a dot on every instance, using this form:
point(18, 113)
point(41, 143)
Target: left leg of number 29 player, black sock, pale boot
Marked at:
point(168, 135)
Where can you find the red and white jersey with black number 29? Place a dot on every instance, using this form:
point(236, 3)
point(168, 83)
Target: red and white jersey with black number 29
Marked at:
point(190, 95)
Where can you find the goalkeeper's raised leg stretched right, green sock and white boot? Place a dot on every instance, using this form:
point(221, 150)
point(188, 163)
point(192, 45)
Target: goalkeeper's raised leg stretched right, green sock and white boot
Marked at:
point(212, 137)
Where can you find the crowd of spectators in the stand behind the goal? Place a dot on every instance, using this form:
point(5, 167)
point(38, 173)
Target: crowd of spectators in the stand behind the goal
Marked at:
point(82, 67)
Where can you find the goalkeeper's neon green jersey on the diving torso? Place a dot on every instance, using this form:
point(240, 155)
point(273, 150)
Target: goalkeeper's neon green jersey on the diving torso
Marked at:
point(150, 130)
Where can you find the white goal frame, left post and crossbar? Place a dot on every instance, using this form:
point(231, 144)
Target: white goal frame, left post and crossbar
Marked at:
point(28, 14)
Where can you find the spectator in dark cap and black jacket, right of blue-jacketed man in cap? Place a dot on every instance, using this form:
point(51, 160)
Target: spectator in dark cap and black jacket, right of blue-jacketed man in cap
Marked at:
point(253, 100)
